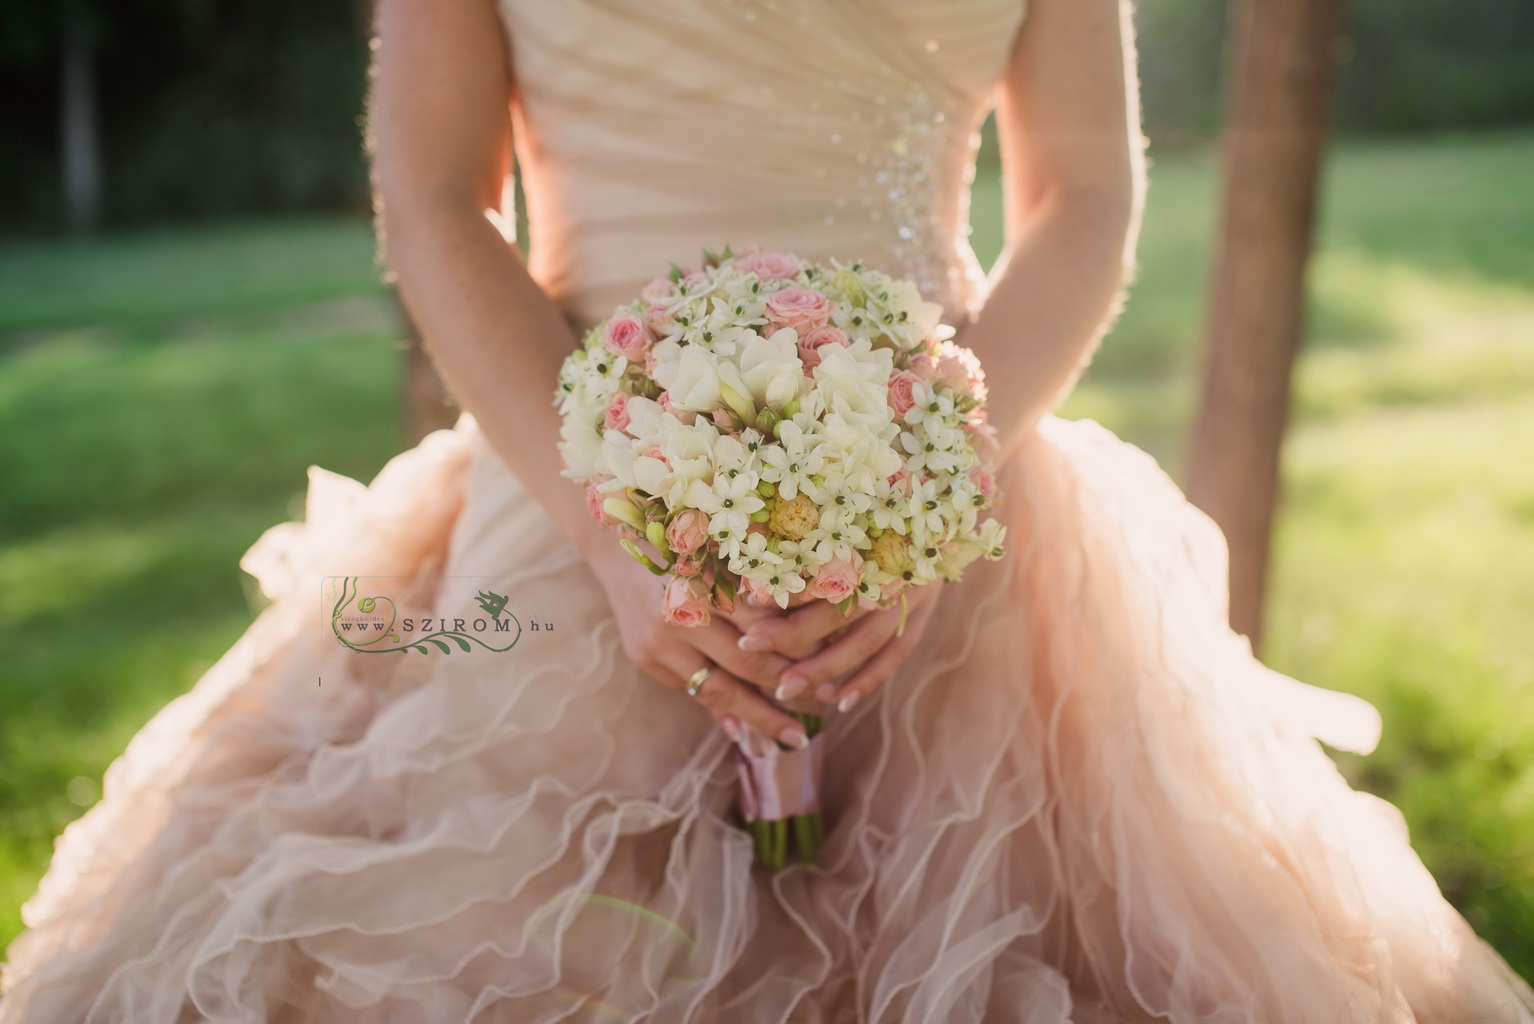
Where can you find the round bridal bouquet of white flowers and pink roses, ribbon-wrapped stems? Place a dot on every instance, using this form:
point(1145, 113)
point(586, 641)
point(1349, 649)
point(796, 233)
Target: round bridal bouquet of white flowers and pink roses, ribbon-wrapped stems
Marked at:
point(789, 432)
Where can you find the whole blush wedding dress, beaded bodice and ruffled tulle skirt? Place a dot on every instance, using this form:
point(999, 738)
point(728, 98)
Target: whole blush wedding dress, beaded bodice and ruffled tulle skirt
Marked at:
point(1081, 801)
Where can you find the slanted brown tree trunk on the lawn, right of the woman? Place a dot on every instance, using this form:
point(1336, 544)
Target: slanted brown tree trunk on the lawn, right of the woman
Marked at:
point(1282, 67)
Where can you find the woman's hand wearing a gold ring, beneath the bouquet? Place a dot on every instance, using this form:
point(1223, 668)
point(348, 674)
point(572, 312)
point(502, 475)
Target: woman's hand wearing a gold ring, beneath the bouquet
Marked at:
point(673, 654)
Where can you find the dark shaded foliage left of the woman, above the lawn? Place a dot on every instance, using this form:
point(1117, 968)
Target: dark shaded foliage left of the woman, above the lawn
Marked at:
point(203, 110)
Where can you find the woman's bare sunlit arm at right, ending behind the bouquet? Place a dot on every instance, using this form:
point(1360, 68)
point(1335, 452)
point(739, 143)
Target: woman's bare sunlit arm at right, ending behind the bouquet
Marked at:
point(1073, 172)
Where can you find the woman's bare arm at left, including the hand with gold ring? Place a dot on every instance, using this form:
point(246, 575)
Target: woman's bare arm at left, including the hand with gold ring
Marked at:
point(441, 125)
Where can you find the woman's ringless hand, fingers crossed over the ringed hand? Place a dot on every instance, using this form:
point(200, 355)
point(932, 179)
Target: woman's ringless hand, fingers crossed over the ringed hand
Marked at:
point(864, 645)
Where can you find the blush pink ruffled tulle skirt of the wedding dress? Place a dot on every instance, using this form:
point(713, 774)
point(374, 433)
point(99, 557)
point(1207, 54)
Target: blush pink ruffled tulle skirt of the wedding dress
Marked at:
point(1082, 801)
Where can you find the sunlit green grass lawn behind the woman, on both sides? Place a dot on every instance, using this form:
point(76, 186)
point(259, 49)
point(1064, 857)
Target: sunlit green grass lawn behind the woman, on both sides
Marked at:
point(162, 395)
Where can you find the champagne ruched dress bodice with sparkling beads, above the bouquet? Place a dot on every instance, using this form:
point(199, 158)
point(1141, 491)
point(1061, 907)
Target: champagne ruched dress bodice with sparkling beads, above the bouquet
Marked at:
point(828, 128)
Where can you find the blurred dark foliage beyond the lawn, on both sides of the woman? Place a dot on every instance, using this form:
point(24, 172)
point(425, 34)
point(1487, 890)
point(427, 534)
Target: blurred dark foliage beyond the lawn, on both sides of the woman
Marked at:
point(214, 110)
